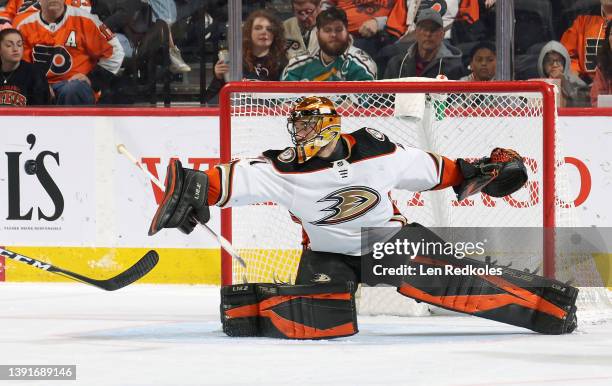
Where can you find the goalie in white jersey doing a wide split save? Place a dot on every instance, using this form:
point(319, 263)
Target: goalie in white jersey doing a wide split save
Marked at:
point(336, 184)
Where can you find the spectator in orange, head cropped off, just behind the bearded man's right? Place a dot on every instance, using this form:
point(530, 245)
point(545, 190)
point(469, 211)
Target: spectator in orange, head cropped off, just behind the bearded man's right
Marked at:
point(367, 20)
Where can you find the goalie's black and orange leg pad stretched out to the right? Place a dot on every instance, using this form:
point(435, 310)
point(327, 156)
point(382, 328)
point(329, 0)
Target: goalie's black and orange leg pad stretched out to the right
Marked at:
point(515, 297)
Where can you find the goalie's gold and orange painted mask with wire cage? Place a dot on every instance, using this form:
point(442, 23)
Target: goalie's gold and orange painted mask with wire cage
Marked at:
point(312, 124)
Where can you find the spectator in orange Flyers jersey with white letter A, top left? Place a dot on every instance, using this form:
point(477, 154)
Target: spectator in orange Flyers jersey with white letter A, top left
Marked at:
point(81, 55)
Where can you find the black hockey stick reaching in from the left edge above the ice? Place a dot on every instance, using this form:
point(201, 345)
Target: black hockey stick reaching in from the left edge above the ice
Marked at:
point(130, 275)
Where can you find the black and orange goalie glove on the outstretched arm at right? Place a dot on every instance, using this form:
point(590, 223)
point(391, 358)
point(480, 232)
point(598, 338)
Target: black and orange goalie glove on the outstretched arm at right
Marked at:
point(499, 175)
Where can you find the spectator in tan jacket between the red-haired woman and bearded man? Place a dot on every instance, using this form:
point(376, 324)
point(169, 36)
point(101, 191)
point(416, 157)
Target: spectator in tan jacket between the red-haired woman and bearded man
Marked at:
point(301, 30)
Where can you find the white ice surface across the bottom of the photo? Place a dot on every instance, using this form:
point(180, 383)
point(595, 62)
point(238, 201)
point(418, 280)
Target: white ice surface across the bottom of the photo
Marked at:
point(171, 335)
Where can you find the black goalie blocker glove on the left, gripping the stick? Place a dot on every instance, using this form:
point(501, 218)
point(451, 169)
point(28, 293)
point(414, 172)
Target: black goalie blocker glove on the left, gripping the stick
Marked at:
point(185, 200)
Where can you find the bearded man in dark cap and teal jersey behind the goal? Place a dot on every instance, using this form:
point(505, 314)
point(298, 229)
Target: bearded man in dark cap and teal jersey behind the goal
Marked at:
point(336, 59)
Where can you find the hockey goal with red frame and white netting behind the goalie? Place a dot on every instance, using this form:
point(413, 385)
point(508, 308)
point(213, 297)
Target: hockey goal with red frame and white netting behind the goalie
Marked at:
point(454, 119)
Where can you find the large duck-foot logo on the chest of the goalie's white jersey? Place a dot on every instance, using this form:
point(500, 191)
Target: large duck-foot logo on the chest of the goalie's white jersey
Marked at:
point(348, 204)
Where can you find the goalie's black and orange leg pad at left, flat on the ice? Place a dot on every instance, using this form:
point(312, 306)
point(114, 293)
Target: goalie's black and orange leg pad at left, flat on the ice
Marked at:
point(318, 311)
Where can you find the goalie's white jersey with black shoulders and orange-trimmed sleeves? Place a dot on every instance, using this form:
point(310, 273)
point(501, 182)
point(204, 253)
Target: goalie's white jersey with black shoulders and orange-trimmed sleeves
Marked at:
point(334, 200)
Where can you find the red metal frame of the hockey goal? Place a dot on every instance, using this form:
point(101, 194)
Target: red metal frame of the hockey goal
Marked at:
point(545, 92)
